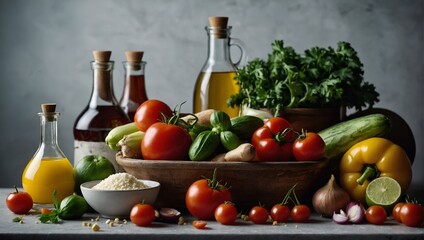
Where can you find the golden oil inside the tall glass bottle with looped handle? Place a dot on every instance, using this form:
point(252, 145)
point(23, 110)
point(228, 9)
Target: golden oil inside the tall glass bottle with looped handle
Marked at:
point(212, 91)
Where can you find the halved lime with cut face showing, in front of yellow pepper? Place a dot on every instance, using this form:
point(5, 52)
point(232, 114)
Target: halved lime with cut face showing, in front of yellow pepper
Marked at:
point(383, 191)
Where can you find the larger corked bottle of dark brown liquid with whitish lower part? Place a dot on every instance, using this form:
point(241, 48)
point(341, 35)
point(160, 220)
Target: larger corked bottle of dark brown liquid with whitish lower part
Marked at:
point(101, 114)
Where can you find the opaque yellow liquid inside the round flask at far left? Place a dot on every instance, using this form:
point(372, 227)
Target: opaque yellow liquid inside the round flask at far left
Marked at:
point(41, 177)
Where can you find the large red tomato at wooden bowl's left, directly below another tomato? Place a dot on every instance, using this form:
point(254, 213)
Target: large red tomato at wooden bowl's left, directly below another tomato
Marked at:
point(164, 141)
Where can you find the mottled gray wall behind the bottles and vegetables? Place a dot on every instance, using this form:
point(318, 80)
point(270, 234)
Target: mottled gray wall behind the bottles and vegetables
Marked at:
point(46, 45)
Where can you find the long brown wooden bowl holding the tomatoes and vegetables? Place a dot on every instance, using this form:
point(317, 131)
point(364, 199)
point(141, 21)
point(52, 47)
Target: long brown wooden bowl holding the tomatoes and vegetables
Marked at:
point(251, 182)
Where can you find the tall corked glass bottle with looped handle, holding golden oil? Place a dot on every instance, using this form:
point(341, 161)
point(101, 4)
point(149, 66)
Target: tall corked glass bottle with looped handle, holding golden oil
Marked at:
point(215, 83)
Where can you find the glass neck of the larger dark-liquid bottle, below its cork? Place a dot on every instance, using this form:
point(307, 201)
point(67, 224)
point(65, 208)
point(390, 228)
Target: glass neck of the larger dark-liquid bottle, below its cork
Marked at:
point(103, 93)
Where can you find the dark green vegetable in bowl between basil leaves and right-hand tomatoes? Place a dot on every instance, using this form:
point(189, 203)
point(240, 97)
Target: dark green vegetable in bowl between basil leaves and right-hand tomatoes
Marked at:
point(245, 126)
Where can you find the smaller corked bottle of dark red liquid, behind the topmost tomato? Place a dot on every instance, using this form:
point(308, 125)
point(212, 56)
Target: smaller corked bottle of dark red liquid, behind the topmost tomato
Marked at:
point(134, 89)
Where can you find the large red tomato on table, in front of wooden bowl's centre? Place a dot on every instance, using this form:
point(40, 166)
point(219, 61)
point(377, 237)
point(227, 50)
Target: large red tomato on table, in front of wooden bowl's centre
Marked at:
point(204, 196)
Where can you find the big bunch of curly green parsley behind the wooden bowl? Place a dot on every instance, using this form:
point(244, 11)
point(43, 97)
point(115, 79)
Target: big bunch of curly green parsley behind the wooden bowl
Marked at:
point(321, 77)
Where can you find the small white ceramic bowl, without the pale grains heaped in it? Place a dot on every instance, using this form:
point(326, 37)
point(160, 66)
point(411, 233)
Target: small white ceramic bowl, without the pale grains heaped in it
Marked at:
point(118, 203)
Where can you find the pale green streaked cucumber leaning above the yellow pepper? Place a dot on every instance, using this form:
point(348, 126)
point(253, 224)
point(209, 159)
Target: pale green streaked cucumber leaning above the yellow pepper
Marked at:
point(341, 137)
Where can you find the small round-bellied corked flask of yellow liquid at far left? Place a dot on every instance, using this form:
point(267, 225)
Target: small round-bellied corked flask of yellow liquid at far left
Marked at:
point(49, 169)
